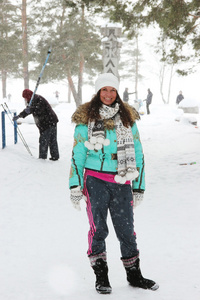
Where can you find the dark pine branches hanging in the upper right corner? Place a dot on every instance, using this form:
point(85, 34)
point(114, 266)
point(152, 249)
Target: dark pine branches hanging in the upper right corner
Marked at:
point(178, 21)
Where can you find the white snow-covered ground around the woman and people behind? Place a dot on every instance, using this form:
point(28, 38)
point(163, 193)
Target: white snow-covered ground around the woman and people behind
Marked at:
point(44, 240)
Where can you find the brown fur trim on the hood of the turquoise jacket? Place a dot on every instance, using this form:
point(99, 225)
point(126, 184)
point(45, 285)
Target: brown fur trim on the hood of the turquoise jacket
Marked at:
point(80, 116)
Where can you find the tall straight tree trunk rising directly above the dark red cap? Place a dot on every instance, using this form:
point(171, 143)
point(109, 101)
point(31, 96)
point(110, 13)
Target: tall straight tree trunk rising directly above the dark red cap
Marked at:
point(25, 46)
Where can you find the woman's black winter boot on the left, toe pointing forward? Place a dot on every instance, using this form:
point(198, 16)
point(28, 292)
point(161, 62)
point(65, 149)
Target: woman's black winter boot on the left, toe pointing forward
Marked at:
point(101, 271)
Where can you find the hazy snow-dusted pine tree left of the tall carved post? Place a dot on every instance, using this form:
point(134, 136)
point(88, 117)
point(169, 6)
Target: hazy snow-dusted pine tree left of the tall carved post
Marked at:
point(75, 45)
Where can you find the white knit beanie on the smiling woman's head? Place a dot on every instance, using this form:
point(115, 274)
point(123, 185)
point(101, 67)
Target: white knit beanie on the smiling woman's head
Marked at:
point(106, 79)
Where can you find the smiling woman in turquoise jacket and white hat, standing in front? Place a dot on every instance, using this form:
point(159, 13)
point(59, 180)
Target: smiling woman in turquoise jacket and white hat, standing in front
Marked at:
point(107, 168)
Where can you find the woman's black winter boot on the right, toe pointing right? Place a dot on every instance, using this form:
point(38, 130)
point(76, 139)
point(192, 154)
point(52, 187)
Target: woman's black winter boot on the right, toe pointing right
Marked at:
point(134, 275)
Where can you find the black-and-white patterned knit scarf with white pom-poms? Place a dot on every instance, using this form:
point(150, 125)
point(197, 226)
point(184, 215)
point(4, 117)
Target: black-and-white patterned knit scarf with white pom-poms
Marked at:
point(125, 144)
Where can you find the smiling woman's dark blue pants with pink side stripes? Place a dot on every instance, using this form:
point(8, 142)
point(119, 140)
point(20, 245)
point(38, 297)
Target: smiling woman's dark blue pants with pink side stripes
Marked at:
point(103, 196)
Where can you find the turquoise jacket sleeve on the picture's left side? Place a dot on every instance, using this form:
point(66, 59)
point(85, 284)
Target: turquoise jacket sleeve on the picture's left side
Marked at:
point(79, 154)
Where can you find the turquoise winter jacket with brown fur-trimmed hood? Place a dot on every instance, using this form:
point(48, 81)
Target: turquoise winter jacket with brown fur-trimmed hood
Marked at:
point(104, 160)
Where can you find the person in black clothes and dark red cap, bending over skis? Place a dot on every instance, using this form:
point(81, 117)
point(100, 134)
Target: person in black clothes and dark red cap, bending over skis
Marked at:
point(46, 120)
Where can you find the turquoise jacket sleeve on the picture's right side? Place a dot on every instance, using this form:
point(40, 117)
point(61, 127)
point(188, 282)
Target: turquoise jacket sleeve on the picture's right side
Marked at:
point(139, 182)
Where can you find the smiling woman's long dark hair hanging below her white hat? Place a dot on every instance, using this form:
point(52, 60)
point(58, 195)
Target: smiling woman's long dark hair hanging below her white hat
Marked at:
point(96, 103)
